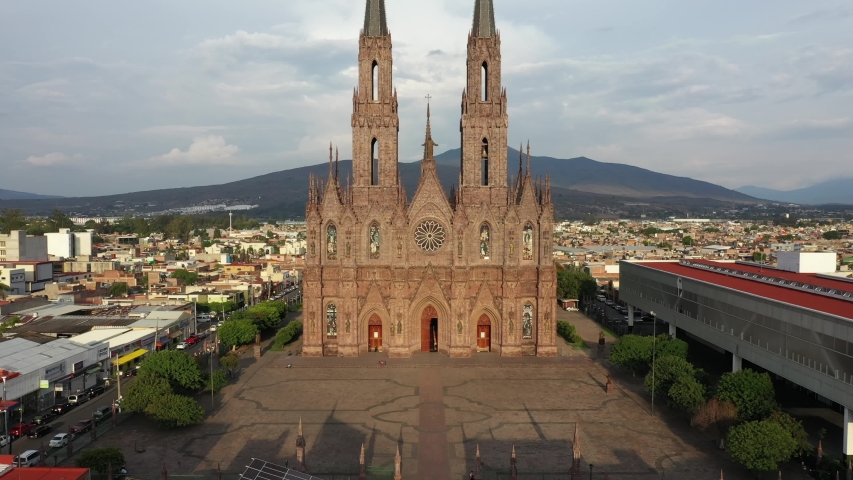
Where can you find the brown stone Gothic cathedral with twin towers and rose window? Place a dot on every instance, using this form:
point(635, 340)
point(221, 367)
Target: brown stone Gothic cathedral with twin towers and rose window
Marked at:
point(456, 272)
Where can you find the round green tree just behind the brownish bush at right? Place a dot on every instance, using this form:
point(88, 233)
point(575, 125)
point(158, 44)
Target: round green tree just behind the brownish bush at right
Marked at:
point(750, 391)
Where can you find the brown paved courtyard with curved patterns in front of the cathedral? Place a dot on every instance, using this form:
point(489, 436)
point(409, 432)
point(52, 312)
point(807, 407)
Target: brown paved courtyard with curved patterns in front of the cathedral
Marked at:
point(438, 410)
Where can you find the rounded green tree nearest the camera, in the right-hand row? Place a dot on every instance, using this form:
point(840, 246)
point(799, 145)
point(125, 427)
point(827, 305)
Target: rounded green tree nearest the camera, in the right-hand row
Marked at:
point(761, 445)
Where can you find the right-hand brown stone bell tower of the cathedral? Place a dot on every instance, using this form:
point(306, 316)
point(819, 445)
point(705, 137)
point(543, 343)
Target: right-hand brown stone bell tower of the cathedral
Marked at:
point(484, 116)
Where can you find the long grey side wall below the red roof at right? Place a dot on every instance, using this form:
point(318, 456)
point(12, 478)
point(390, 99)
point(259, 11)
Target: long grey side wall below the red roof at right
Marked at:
point(807, 347)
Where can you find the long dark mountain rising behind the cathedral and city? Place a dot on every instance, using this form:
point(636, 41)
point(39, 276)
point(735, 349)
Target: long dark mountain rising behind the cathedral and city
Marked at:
point(580, 187)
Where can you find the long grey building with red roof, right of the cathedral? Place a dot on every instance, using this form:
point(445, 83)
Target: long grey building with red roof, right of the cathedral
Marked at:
point(795, 325)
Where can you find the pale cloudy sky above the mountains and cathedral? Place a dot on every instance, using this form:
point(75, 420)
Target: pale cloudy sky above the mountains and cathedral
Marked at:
point(102, 96)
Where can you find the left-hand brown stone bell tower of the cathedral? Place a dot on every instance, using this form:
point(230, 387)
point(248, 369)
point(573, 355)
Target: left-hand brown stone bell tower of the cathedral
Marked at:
point(375, 124)
